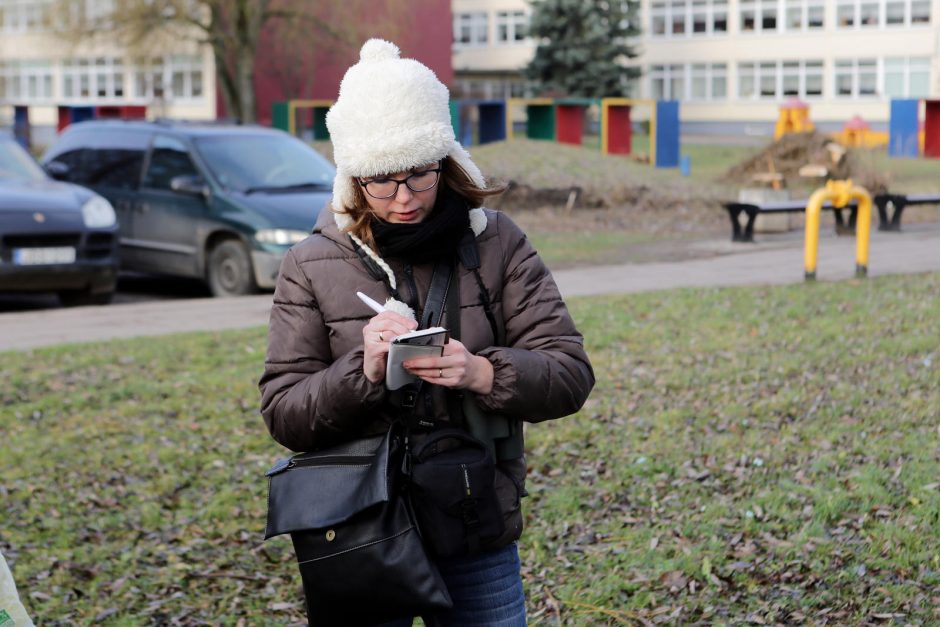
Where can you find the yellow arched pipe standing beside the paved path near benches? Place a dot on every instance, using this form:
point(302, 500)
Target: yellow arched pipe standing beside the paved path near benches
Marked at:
point(840, 193)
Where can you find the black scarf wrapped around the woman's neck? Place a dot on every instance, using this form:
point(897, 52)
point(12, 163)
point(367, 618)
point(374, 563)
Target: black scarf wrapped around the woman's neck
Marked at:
point(433, 239)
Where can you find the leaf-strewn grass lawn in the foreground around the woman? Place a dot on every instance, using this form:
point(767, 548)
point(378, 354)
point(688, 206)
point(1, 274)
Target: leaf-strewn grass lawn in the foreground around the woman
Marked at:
point(748, 456)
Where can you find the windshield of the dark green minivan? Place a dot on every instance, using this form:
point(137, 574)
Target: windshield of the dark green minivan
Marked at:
point(269, 160)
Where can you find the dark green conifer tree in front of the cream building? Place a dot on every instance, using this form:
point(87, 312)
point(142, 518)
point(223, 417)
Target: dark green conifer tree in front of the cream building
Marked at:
point(583, 46)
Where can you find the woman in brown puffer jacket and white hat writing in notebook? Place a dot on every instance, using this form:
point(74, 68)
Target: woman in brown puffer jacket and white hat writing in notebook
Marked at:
point(406, 195)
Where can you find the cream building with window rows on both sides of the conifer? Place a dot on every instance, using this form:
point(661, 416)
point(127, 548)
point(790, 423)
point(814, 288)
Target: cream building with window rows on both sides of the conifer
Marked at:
point(732, 63)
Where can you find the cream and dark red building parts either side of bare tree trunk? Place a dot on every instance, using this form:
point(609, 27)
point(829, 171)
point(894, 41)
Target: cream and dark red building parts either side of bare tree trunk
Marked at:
point(43, 71)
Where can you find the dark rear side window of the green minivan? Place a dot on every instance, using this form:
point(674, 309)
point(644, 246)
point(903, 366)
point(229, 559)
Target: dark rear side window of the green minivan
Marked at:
point(101, 157)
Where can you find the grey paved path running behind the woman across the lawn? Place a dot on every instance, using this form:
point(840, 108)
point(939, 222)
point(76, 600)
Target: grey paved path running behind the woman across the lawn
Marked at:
point(777, 261)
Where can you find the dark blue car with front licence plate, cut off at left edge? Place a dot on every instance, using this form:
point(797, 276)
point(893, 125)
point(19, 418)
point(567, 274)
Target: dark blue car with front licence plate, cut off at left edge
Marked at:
point(54, 237)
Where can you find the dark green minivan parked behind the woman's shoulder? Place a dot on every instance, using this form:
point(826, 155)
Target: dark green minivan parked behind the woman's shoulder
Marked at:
point(220, 202)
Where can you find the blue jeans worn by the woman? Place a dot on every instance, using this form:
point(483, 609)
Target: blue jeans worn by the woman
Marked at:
point(486, 589)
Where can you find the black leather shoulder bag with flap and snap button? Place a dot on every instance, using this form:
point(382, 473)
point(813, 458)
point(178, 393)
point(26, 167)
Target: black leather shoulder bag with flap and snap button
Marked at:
point(362, 560)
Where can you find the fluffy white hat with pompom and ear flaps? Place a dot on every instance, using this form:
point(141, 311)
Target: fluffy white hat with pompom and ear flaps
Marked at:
point(391, 115)
